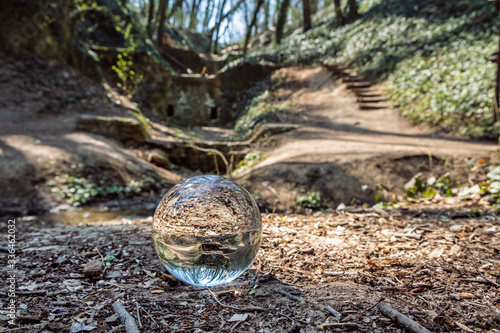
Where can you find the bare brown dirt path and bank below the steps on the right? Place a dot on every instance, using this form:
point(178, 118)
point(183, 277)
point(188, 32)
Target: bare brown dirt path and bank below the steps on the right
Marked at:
point(343, 145)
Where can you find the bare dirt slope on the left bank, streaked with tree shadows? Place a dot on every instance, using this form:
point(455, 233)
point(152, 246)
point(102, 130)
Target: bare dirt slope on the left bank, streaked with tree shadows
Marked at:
point(40, 102)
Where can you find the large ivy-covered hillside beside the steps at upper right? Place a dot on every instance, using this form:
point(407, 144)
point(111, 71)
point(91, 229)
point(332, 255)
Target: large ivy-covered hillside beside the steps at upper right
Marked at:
point(435, 57)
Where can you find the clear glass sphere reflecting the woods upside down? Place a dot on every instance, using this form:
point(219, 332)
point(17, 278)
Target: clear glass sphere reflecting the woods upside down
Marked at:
point(207, 230)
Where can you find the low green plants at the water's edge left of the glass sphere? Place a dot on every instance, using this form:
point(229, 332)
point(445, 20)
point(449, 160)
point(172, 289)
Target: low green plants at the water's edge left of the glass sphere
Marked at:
point(79, 190)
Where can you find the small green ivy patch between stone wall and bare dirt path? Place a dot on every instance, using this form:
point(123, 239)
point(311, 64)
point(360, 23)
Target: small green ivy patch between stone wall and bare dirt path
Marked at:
point(260, 110)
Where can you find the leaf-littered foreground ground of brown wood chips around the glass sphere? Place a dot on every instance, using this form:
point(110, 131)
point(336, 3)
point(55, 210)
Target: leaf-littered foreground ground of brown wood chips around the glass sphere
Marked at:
point(431, 262)
